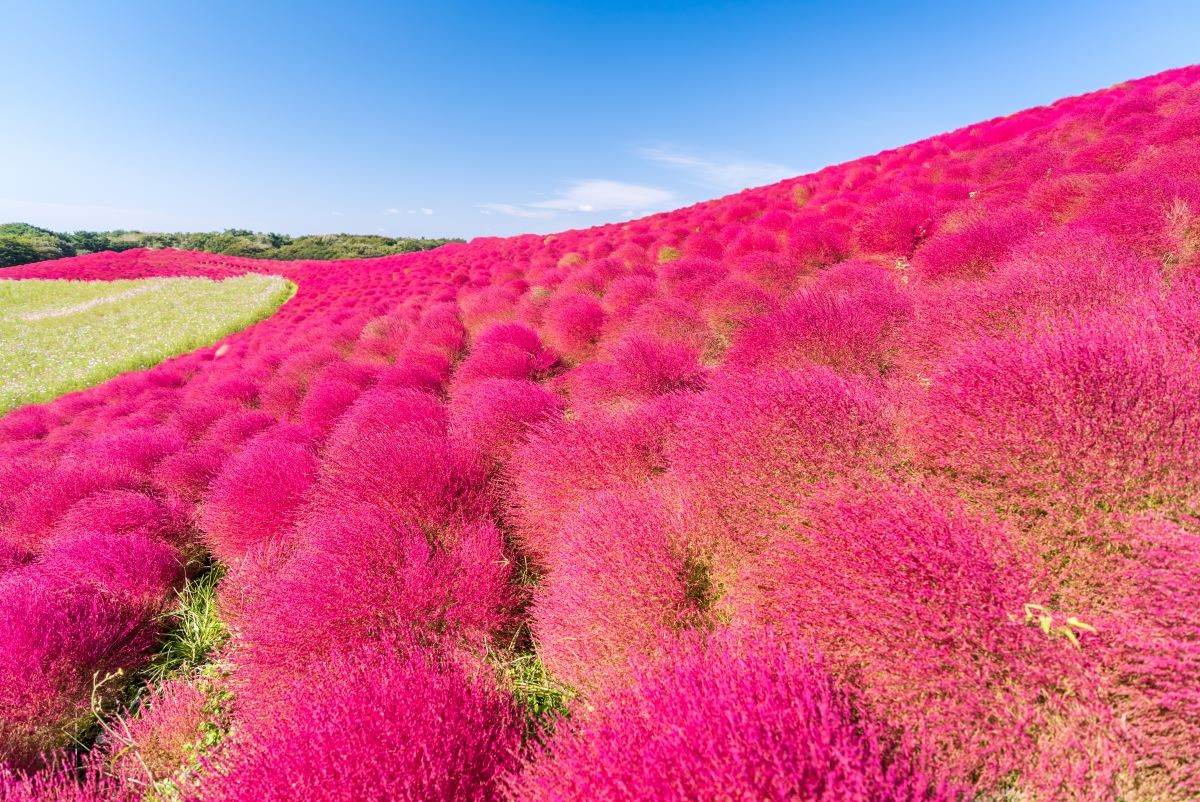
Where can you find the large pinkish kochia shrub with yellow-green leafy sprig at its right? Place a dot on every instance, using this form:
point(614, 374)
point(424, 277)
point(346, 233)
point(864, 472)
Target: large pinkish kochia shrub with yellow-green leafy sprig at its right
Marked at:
point(923, 609)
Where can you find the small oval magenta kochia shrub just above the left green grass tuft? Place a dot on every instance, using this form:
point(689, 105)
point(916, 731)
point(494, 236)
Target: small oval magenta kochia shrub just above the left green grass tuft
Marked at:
point(259, 492)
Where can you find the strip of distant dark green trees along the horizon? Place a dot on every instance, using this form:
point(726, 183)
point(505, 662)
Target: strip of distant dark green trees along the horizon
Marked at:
point(22, 244)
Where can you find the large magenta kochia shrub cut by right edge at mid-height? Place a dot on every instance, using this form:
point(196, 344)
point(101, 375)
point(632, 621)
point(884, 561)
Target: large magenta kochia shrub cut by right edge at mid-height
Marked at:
point(1099, 412)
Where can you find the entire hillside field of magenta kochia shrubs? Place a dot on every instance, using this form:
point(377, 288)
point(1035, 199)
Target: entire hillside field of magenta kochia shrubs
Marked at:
point(878, 484)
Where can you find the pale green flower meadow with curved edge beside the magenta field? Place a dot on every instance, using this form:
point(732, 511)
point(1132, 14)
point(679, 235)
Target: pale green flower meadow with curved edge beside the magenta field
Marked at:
point(58, 337)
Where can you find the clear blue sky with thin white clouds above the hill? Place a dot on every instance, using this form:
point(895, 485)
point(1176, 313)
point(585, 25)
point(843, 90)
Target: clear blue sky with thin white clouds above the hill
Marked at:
point(472, 119)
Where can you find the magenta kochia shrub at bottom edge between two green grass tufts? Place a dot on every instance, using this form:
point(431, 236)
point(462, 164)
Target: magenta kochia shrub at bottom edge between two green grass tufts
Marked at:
point(381, 723)
